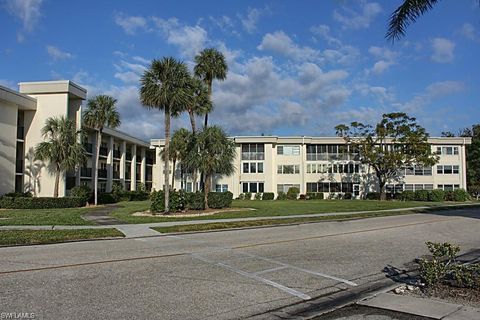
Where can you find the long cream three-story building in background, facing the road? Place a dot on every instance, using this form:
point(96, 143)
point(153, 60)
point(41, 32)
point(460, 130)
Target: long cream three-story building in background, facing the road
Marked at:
point(319, 164)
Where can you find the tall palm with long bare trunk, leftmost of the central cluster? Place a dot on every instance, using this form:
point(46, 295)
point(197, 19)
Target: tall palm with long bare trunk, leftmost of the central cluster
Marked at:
point(165, 85)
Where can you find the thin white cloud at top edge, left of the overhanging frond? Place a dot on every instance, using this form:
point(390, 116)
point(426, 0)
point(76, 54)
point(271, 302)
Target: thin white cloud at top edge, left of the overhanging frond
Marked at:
point(351, 19)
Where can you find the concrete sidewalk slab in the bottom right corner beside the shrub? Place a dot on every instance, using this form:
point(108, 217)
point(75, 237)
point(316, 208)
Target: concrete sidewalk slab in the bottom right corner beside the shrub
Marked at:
point(434, 309)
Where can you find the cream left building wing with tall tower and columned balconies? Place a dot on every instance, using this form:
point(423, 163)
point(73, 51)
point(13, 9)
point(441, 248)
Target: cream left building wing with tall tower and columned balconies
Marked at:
point(123, 159)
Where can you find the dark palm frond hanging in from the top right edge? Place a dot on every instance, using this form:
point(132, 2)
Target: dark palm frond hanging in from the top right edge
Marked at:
point(406, 14)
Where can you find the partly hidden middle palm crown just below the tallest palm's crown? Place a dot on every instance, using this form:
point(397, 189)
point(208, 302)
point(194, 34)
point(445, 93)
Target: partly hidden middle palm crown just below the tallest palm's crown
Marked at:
point(200, 104)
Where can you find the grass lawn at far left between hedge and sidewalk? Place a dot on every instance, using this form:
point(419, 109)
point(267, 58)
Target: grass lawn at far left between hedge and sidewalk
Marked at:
point(39, 217)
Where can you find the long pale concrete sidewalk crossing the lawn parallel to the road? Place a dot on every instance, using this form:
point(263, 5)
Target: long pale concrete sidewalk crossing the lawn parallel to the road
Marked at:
point(143, 229)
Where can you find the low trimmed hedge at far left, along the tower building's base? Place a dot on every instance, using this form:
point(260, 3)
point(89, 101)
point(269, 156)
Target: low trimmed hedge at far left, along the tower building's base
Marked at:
point(40, 202)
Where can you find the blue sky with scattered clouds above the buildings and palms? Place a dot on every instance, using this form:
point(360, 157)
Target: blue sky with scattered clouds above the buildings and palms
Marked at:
point(295, 67)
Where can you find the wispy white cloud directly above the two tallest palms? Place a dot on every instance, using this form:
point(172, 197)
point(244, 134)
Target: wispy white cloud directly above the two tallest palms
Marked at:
point(189, 39)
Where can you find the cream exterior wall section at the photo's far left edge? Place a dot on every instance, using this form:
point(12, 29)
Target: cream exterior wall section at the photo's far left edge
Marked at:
point(8, 145)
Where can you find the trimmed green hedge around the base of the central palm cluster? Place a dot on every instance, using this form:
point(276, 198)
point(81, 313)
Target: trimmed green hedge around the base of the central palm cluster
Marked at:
point(179, 200)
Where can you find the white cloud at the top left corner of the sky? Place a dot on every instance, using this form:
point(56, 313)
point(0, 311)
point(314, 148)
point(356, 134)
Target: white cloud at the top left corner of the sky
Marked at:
point(28, 12)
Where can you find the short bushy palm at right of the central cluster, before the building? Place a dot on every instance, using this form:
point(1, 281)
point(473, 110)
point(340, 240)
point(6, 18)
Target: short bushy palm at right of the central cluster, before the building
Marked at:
point(213, 153)
